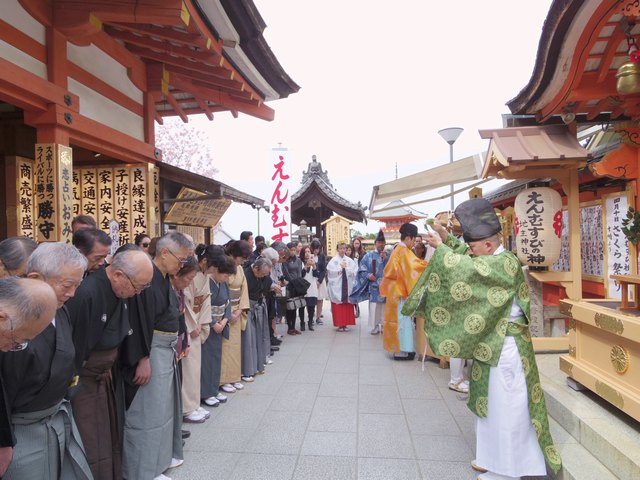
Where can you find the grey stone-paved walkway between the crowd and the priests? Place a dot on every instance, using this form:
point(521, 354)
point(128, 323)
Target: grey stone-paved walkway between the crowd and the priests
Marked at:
point(335, 406)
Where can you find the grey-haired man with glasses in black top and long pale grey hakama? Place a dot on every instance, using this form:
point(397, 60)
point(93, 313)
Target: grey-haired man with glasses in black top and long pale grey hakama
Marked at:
point(153, 419)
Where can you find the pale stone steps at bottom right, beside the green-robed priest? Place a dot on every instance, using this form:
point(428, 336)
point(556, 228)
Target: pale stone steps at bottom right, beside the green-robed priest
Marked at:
point(607, 441)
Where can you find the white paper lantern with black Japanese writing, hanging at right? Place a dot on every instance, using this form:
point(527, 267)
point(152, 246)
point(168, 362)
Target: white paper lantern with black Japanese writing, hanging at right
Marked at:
point(538, 226)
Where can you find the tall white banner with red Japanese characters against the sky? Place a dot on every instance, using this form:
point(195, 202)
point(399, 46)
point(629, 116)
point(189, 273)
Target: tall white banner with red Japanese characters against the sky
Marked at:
point(281, 168)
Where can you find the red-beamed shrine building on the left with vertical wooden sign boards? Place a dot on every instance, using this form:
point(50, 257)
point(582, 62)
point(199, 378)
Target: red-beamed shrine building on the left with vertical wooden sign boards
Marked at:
point(81, 85)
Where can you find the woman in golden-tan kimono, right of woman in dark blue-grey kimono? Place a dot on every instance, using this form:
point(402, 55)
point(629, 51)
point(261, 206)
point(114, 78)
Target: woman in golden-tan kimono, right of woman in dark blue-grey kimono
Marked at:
point(231, 370)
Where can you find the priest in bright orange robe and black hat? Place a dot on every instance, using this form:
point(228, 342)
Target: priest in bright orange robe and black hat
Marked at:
point(400, 276)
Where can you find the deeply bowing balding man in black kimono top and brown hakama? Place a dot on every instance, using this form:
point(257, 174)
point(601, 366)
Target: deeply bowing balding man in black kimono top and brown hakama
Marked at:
point(100, 320)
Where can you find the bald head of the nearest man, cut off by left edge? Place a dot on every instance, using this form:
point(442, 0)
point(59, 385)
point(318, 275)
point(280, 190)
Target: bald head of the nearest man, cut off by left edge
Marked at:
point(27, 306)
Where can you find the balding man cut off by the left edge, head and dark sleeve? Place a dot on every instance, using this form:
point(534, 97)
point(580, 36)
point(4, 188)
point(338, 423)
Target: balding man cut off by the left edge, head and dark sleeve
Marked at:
point(26, 308)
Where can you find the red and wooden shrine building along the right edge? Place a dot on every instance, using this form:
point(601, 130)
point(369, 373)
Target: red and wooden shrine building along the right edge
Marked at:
point(587, 76)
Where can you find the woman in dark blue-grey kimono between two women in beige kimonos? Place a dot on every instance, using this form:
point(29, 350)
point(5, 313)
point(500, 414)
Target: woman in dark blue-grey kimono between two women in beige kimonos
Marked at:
point(222, 266)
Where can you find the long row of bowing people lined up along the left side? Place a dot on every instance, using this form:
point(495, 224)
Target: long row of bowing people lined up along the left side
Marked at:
point(89, 341)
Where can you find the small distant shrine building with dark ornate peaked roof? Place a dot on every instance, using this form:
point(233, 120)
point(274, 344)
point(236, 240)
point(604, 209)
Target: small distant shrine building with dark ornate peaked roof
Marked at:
point(317, 201)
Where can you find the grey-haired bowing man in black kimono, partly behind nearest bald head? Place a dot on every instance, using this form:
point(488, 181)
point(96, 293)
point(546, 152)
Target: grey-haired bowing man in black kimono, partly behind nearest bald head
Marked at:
point(38, 377)
